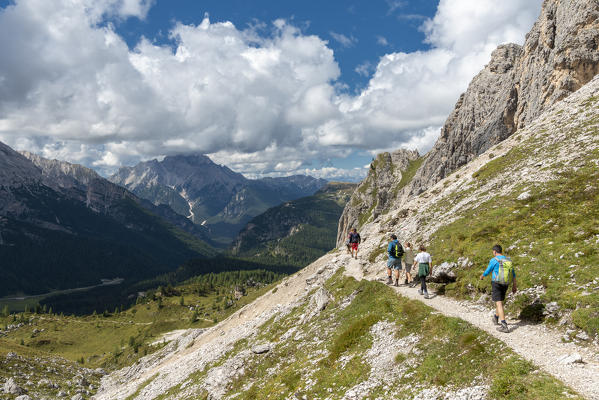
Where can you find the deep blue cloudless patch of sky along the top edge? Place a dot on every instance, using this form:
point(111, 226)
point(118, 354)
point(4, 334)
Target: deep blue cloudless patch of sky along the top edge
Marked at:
point(359, 32)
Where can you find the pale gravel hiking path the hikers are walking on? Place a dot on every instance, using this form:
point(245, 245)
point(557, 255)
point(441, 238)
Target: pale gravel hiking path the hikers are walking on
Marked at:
point(536, 343)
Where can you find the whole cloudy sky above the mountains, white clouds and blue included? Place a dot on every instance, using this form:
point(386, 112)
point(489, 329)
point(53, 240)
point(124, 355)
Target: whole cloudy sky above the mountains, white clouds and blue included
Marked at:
point(266, 88)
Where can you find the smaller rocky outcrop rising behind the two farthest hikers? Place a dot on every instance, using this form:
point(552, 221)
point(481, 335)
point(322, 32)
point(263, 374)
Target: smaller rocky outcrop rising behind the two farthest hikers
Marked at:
point(377, 192)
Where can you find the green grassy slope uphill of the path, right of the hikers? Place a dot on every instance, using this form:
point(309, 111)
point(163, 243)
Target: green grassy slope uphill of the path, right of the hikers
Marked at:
point(552, 236)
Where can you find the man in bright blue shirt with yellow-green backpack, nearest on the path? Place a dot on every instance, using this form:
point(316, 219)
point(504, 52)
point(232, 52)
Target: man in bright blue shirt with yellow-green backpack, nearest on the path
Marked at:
point(503, 274)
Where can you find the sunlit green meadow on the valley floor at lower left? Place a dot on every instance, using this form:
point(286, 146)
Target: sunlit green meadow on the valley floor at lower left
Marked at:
point(116, 339)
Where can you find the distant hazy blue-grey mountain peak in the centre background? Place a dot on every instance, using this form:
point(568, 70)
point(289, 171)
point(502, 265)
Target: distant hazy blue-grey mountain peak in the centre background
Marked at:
point(209, 194)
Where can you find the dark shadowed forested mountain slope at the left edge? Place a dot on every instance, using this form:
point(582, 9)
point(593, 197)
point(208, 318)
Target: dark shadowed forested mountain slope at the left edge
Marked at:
point(63, 226)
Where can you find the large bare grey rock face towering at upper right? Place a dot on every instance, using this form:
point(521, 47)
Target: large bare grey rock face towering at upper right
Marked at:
point(560, 55)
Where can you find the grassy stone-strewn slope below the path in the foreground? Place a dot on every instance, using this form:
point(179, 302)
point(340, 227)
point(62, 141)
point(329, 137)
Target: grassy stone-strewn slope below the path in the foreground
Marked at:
point(330, 357)
